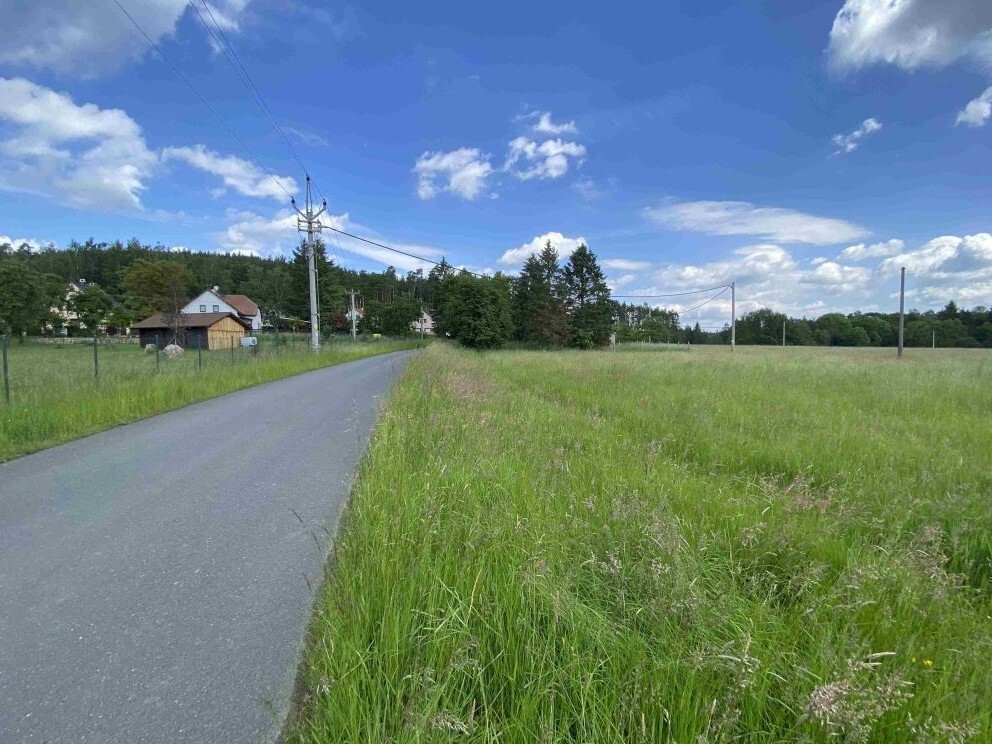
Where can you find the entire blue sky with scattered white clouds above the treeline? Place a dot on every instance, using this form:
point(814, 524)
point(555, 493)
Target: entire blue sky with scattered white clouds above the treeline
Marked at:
point(805, 153)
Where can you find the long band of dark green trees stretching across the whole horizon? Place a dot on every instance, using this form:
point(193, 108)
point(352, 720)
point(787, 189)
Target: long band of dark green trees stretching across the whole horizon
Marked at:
point(551, 303)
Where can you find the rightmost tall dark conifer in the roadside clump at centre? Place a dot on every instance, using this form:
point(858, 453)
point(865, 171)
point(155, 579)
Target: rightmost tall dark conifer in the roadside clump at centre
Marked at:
point(587, 300)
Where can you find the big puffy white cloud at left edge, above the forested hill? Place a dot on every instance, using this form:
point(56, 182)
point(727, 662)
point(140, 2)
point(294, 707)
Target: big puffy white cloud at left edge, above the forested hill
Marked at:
point(82, 155)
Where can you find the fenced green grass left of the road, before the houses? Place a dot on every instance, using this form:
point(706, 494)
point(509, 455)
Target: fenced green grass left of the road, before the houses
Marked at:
point(55, 395)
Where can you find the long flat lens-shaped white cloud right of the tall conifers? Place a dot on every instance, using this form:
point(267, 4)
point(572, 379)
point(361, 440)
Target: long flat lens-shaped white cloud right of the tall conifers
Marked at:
point(742, 218)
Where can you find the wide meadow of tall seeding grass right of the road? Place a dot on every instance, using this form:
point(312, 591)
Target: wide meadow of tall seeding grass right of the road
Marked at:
point(774, 545)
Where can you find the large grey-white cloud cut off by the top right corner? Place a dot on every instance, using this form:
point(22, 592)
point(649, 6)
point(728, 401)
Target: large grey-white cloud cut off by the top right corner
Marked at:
point(910, 33)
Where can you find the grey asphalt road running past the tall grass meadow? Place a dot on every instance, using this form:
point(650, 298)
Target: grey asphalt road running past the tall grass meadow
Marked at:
point(152, 577)
